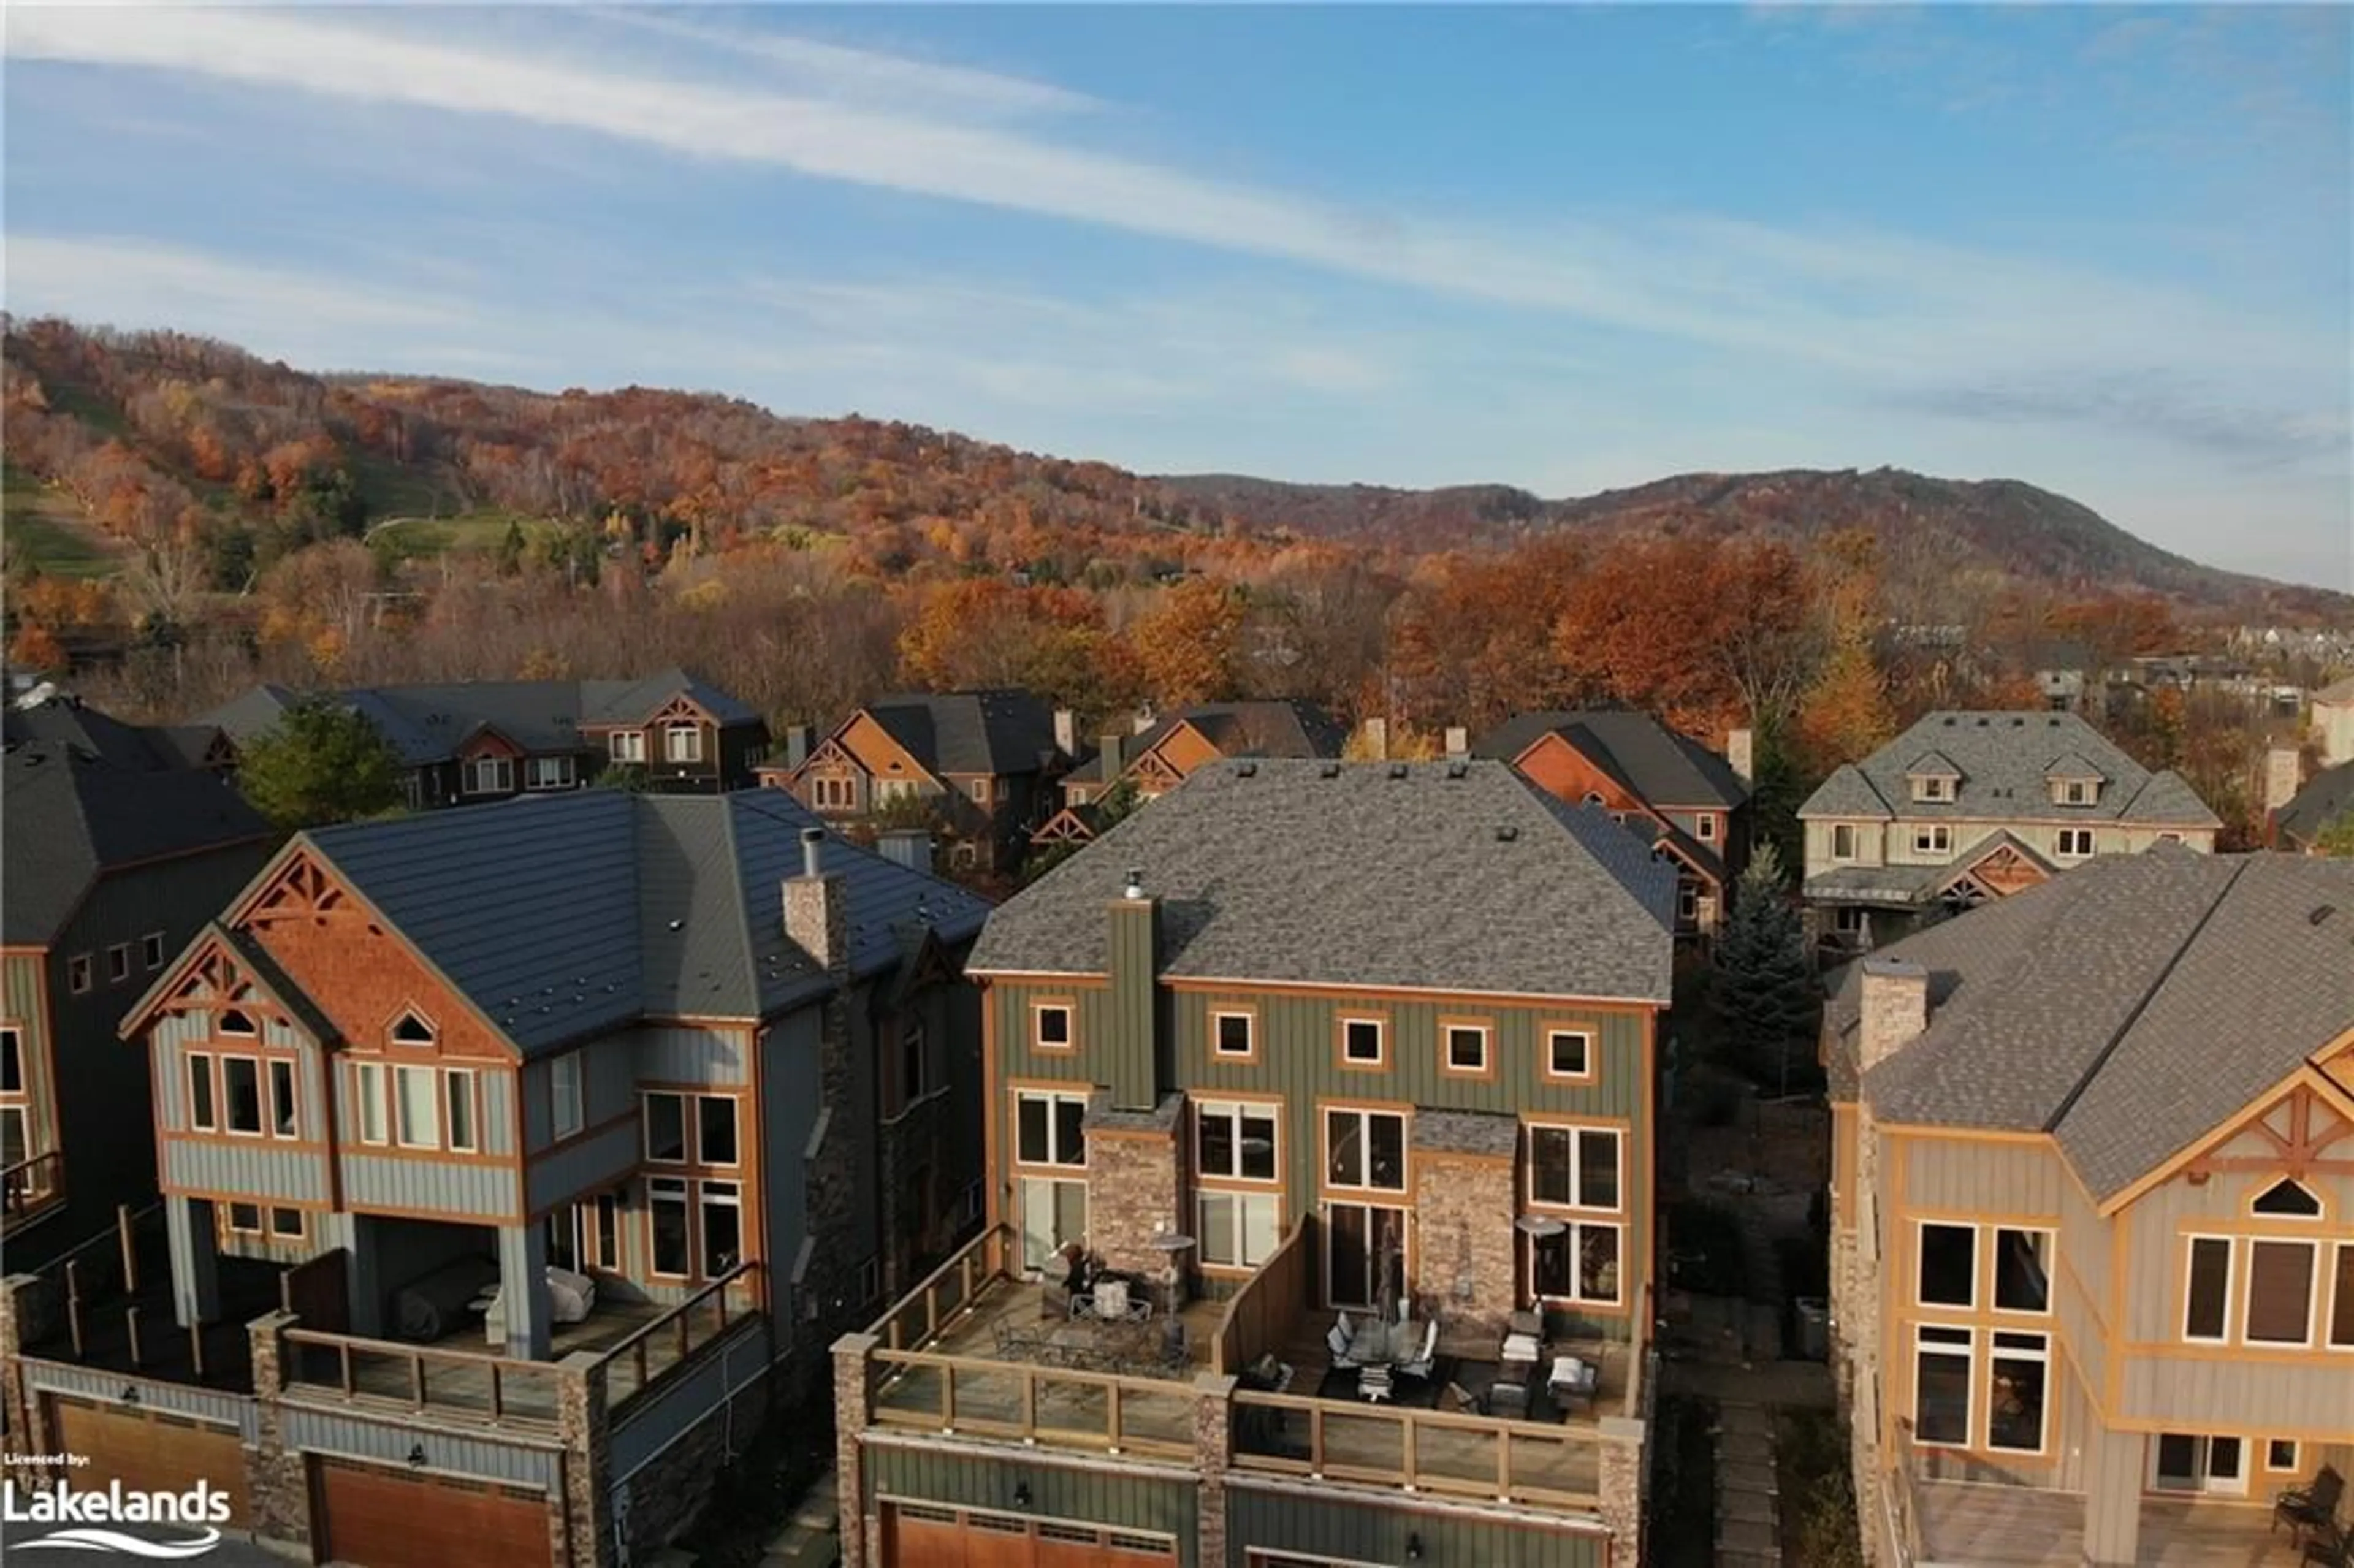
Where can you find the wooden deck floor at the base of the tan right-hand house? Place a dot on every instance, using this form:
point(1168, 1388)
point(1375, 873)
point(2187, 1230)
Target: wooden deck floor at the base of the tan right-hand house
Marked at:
point(2016, 1527)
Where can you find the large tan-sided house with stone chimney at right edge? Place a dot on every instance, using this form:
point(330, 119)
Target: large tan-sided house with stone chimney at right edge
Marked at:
point(2094, 1218)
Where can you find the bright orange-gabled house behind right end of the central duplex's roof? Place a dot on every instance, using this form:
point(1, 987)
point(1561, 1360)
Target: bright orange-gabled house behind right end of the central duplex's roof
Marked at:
point(1687, 799)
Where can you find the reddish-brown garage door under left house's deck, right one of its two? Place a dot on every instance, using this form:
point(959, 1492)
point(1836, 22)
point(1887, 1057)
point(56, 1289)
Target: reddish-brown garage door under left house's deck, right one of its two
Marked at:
point(380, 1517)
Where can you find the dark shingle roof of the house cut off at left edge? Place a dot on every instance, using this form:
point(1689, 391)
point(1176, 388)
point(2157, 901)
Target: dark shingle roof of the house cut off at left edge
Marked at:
point(72, 818)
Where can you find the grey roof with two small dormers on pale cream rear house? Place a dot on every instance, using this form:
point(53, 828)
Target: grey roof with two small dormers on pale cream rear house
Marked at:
point(2004, 764)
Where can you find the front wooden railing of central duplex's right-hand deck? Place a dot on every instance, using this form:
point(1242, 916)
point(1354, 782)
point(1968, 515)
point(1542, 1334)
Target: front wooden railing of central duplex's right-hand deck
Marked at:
point(1421, 1451)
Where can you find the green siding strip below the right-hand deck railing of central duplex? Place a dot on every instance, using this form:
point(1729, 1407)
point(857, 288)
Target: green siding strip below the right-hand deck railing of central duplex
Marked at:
point(1376, 1529)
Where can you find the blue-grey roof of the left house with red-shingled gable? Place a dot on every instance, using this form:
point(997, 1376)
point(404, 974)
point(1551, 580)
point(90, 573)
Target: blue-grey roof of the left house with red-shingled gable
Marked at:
point(566, 917)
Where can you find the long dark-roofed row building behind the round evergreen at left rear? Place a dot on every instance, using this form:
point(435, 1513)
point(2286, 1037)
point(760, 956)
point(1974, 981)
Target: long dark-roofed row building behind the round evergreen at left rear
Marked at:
point(493, 740)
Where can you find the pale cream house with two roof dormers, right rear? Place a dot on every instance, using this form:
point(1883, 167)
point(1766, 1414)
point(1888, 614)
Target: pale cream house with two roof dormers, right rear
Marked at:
point(1967, 809)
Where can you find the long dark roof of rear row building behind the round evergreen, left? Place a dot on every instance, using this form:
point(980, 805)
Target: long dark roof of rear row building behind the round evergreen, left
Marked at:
point(427, 724)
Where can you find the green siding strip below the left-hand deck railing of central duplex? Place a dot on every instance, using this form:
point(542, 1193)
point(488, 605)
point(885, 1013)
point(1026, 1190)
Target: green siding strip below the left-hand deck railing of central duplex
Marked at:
point(962, 1477)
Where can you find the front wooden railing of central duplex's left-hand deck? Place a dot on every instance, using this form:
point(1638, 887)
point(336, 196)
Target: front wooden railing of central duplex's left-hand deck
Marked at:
point(1032, 1404)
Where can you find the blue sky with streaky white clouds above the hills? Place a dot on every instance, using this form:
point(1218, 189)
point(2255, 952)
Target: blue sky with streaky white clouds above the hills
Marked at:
point(1569, 248)
